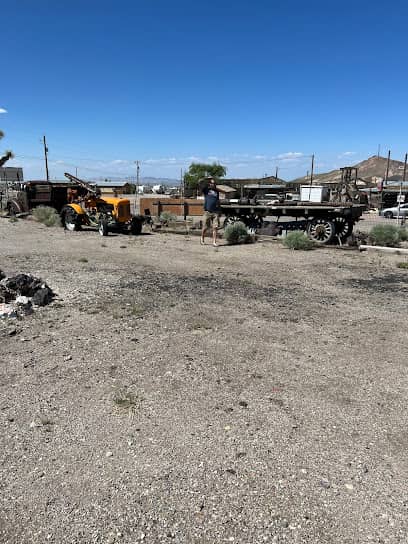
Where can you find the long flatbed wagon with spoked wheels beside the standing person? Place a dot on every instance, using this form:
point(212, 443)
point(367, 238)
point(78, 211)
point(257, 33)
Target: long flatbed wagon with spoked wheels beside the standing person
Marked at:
point(324, 222)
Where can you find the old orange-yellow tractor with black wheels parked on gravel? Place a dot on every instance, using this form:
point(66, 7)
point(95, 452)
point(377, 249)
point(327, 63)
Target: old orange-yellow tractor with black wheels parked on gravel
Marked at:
point(87, 207)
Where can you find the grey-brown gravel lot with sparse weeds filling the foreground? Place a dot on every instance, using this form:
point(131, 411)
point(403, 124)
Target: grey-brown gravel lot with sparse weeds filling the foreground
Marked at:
point(184, 393)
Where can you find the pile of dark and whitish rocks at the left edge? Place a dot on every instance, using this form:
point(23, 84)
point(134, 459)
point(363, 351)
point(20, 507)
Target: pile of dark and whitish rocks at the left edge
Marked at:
point(21, 293)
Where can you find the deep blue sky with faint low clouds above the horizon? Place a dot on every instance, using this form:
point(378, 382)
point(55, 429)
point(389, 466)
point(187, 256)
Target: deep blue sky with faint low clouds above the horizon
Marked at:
point(252, 85)
